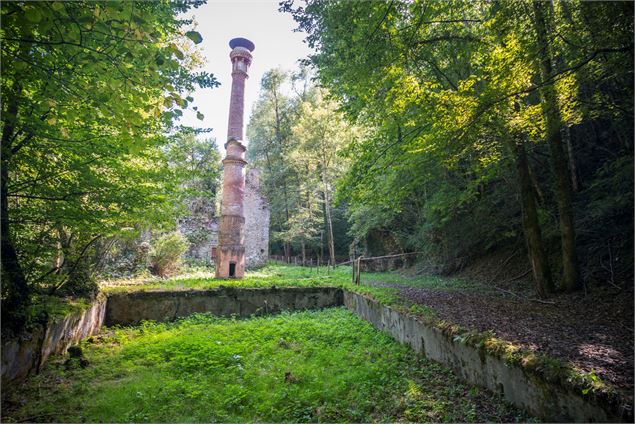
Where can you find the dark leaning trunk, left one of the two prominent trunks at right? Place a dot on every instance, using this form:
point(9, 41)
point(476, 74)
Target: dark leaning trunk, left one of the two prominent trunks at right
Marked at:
point(531, 224)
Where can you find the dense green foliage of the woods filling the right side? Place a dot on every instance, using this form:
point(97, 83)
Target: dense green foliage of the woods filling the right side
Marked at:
point(443, 89)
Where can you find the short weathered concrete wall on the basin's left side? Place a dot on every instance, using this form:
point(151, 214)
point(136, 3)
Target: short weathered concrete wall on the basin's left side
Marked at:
point(25, 354)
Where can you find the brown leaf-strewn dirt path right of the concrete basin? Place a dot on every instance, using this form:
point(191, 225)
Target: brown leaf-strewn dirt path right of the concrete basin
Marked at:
point(593, 332)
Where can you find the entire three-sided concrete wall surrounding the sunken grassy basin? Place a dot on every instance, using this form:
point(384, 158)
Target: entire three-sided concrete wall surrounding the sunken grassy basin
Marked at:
point(525, 389)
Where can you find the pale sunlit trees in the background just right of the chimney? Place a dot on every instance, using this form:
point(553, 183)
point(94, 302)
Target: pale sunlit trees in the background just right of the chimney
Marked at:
point(295, 141)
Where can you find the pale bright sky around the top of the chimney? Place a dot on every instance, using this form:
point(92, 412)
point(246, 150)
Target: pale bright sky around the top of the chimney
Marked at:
point(276, 46)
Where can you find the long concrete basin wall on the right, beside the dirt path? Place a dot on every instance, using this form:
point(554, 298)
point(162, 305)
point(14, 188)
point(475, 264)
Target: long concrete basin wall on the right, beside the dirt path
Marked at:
point(550, 402)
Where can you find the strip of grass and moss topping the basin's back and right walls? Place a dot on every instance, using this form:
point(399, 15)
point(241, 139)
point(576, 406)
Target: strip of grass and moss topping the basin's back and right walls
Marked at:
point(276, 275)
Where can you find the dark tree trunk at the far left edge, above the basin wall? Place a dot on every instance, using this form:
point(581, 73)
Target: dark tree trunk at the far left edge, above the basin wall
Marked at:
point(15, 290)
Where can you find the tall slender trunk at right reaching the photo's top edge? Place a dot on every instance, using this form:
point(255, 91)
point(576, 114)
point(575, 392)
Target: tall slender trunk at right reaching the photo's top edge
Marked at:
point(553, 121)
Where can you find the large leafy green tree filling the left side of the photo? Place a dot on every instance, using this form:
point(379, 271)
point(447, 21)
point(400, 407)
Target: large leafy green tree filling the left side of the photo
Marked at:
point(91, 90)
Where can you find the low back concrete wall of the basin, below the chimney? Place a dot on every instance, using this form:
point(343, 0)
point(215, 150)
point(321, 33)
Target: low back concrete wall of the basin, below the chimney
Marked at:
point(132, 308)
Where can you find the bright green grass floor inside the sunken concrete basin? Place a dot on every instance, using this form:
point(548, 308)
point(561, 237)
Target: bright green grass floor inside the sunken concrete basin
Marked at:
point(310, 366)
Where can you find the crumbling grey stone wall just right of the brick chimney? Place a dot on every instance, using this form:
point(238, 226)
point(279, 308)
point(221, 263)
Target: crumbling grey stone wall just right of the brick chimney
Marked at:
point(257, 212)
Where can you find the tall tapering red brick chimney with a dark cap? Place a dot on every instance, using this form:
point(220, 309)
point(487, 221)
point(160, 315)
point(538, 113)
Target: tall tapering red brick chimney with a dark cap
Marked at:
point(230, 260)
